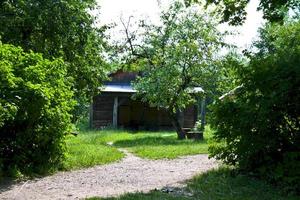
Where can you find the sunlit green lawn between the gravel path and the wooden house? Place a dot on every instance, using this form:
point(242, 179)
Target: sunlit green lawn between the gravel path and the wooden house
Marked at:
point(90, 148)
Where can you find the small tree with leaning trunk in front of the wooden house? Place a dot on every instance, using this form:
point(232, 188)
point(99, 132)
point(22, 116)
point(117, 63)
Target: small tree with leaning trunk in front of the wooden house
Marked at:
point(175, 57)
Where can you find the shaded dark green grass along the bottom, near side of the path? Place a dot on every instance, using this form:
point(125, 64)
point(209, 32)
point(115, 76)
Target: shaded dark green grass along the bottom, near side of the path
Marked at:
point(219, 184)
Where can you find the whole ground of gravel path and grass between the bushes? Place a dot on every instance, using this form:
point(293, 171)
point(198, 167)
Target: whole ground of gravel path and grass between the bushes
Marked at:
point(140, 166)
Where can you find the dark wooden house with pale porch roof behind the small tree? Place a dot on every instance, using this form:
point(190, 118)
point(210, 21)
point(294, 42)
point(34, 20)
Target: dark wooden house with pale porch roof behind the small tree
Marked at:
point(115, 107)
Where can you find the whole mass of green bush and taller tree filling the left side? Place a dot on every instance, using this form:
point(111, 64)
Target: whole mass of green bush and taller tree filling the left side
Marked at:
point(40, 93)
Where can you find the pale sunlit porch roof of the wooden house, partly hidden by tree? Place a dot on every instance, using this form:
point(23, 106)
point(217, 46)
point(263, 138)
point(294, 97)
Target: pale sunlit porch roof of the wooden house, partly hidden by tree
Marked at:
point(129, 88)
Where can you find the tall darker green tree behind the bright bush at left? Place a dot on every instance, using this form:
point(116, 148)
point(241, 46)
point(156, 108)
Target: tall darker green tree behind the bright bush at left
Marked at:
point(56, 29)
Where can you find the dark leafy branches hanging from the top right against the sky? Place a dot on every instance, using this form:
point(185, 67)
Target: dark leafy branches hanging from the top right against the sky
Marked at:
point(233, 11)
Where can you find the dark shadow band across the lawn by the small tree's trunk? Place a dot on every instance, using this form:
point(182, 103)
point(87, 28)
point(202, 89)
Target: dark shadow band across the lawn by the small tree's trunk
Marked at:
point(155, 141)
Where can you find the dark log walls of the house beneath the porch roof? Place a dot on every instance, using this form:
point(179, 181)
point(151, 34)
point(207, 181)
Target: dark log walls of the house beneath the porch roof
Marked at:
point(134, 114)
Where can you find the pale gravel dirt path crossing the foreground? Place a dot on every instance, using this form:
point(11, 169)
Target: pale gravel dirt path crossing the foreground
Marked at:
point(131, 174)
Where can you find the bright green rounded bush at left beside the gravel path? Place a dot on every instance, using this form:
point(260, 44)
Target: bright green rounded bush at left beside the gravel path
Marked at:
point(35, 101)
